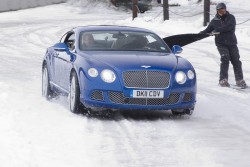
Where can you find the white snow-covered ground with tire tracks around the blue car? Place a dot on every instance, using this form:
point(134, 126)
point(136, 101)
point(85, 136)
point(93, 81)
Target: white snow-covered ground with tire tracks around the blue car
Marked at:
point(38, 133)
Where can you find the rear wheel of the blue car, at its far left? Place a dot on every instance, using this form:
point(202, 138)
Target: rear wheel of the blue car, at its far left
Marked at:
point(46, 90)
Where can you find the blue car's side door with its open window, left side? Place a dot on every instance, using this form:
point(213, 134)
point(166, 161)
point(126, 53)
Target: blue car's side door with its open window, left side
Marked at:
point(63, 62)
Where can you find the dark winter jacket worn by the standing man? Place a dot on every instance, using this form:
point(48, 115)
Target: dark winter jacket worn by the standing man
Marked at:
point(225, 25)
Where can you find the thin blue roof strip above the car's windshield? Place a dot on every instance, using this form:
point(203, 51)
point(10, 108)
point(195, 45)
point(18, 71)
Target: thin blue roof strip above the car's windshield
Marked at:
point(110, 28)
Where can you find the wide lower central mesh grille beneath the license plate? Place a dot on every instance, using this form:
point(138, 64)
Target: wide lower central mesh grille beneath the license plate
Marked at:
point(117, 97)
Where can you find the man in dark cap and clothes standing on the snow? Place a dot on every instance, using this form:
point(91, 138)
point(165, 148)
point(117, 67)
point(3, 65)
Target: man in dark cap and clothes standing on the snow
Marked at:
point(223, 27)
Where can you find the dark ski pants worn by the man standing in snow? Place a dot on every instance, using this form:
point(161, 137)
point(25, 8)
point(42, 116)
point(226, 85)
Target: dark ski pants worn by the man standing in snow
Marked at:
point(230, 53)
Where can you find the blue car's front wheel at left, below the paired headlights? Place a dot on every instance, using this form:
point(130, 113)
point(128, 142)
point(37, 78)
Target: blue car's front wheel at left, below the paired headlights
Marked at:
point(74, 94)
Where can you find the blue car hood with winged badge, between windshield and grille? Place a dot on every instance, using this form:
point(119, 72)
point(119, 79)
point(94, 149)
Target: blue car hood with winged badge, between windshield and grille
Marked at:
point(134, 60)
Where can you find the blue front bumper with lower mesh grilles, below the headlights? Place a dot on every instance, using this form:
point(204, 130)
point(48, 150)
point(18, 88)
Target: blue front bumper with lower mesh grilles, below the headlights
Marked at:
point(115, 100)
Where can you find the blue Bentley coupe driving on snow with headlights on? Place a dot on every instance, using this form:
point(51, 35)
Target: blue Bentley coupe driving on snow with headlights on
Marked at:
point(118, 68)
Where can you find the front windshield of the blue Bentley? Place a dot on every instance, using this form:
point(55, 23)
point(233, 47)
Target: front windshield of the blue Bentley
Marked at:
point(121, 41)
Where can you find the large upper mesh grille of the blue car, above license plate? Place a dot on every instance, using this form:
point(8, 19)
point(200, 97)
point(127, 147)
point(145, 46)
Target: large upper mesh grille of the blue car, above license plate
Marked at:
point(146, 79)
